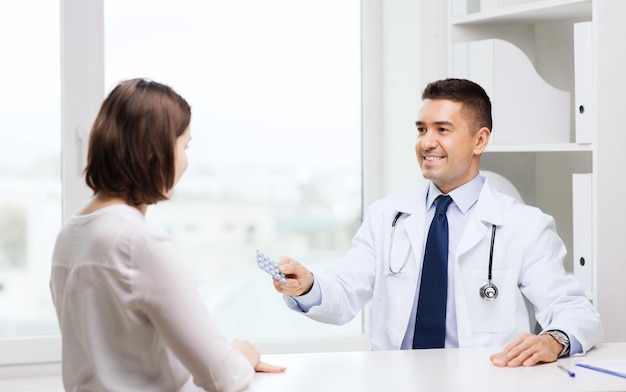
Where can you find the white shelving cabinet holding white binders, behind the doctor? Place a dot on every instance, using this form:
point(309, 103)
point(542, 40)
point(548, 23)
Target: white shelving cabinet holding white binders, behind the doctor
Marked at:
point(542, 150)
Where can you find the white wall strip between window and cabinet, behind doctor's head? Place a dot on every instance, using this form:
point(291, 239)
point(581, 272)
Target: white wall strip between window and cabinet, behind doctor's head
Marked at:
point(414, 52)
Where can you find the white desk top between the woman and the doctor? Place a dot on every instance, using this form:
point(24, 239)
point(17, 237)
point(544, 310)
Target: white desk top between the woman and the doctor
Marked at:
point(433, 370)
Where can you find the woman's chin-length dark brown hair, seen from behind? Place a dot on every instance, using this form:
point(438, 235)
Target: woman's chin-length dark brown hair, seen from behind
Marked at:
point(133, 140)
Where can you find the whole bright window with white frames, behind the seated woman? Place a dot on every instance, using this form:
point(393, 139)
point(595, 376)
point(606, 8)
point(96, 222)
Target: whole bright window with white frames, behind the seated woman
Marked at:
point(275, 88)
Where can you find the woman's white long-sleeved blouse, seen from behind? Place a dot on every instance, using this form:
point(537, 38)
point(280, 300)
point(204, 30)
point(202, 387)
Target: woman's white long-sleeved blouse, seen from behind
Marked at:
point(130, 319)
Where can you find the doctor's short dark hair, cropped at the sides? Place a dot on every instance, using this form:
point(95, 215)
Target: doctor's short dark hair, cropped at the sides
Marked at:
point(475, 101)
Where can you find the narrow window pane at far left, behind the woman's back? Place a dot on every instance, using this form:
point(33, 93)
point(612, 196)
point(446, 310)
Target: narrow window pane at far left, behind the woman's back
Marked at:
point(30, 163)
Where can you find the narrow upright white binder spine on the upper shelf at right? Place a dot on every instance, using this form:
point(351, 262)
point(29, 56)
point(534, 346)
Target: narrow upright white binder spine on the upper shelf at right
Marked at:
point(583, 79)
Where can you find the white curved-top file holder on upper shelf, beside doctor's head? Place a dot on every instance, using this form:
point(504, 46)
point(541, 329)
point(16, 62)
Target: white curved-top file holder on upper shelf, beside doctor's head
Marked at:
point(526, 109)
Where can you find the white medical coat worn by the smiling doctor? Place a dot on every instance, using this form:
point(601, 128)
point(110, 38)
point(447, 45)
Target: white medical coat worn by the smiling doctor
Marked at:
point(527, 263)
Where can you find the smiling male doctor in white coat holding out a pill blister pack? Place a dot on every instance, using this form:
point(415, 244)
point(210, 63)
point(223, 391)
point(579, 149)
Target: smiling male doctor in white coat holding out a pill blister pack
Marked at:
point(525, 262)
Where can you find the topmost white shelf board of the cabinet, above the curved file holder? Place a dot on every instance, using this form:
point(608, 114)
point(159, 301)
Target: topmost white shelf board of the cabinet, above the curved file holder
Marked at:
point(533, 12)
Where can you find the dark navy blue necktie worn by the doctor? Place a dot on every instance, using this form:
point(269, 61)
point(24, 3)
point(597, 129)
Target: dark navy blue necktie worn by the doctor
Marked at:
point(430, 322)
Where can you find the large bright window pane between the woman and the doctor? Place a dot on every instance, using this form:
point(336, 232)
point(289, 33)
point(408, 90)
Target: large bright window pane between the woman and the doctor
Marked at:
point(275, 159)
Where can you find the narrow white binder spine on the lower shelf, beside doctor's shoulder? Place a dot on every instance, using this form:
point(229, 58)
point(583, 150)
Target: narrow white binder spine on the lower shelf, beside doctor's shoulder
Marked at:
point(582, 205)
